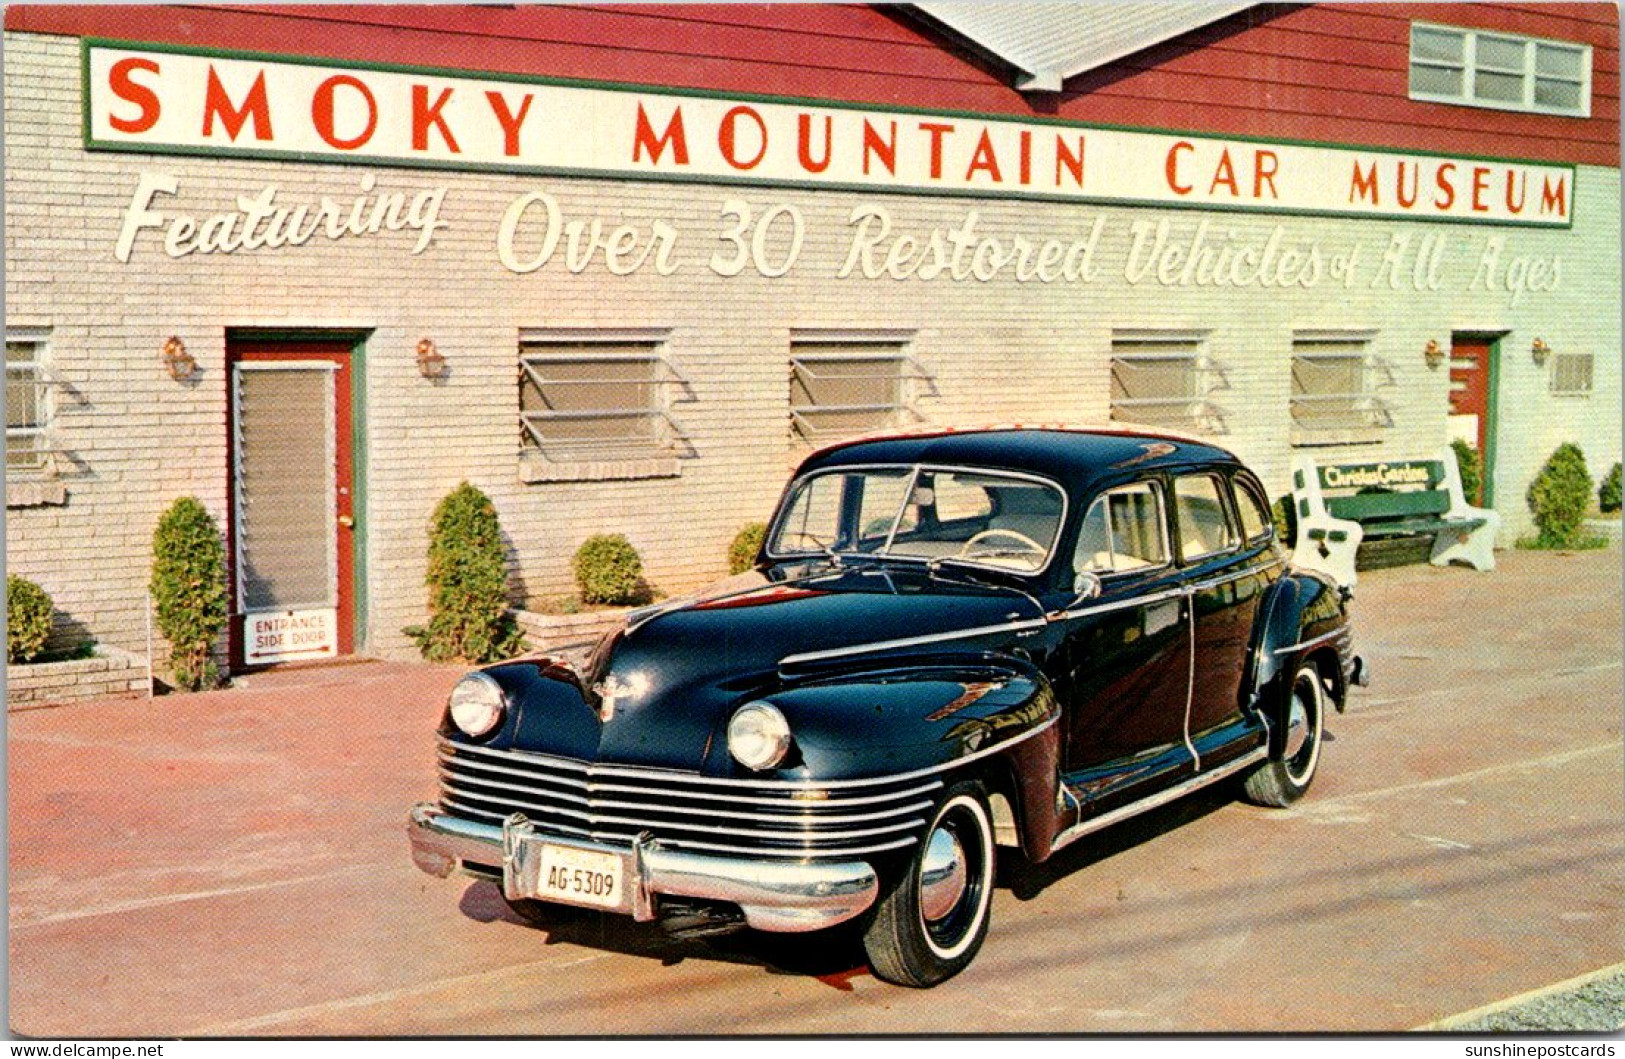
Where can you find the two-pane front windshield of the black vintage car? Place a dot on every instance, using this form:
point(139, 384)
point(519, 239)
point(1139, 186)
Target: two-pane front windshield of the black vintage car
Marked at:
point(981, 517)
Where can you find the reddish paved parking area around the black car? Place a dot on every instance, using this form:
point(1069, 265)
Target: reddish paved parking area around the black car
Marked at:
point(235, 863)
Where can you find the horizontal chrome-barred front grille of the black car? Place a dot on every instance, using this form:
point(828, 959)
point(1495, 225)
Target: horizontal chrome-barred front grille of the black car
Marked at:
point(756, 818)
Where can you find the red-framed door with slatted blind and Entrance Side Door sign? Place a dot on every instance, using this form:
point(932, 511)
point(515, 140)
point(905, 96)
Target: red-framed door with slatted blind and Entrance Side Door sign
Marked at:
point(292, 503)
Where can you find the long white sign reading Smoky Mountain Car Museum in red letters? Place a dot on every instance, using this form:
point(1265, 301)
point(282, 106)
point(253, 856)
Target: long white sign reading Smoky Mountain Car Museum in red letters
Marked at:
point(158, 100)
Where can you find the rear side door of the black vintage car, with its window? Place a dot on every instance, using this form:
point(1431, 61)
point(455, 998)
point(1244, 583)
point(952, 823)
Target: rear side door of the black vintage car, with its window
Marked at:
point(1228, 573)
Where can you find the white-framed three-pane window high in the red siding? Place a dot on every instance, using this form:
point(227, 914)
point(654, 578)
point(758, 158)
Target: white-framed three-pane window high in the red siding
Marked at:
point(1499, 71)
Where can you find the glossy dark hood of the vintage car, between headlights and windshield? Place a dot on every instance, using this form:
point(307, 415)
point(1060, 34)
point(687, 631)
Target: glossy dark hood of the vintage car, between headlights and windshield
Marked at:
point(659, 693)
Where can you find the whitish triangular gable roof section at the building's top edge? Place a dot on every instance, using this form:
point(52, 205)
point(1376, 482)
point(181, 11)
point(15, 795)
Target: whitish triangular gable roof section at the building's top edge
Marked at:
point(1051, 43)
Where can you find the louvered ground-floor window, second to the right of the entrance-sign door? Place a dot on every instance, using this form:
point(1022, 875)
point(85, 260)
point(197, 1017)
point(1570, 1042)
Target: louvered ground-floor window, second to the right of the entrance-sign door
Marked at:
point(851, 383)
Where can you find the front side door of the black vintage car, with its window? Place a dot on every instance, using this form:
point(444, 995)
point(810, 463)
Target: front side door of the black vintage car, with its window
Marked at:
point(1127, 654)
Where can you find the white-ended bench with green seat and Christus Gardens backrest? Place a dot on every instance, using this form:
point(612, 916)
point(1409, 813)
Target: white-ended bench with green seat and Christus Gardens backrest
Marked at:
point(1341, 504)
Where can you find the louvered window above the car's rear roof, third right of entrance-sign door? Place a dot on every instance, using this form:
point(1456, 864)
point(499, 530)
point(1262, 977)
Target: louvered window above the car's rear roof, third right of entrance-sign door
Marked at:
point(1166, 379)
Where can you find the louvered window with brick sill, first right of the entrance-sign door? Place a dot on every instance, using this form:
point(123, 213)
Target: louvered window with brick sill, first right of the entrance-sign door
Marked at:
point(597, 396)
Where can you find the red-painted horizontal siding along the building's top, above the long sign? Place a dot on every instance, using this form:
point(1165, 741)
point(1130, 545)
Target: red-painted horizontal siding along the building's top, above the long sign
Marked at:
point(1335, 72)
